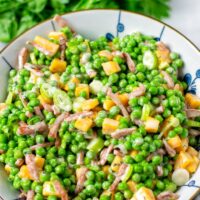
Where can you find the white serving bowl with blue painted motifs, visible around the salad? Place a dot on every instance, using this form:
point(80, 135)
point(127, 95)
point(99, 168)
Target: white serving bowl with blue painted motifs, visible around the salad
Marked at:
point(95, 23)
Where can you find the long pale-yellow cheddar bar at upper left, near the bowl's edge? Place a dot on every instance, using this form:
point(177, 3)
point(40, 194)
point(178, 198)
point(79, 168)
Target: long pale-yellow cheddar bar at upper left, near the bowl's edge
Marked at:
point(51, 47)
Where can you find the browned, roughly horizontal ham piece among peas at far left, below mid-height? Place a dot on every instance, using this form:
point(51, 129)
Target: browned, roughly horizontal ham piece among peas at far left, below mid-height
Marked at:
point(25, 129)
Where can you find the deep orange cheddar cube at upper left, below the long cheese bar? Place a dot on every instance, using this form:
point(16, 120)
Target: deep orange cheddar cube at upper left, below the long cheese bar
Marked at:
point(57, 65)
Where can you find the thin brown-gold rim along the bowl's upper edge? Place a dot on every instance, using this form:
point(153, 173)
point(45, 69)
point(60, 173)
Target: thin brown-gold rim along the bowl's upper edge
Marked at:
point(106, 9)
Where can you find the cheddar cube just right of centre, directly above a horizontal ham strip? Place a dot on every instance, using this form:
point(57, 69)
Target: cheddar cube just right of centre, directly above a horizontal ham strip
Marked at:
point(109, 125)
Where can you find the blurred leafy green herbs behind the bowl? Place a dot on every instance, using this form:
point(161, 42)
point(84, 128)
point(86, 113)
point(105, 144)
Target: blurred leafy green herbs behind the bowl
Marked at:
point(18, 15)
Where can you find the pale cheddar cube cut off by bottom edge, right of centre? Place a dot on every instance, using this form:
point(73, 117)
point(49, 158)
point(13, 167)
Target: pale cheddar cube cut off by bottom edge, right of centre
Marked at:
point(144, 193)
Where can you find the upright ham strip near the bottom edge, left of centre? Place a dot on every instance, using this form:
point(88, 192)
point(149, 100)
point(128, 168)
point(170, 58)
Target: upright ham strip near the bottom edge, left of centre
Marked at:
point(81, 178)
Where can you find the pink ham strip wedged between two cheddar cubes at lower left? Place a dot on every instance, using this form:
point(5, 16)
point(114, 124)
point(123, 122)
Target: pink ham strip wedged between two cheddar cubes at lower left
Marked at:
point(30, 162)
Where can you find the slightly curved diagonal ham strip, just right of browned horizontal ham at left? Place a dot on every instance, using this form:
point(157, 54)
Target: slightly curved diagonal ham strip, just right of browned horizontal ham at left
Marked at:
point(55, 127)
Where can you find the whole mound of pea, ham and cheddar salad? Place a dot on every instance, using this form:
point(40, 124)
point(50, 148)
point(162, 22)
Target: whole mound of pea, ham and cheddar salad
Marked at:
point(98, 119)
